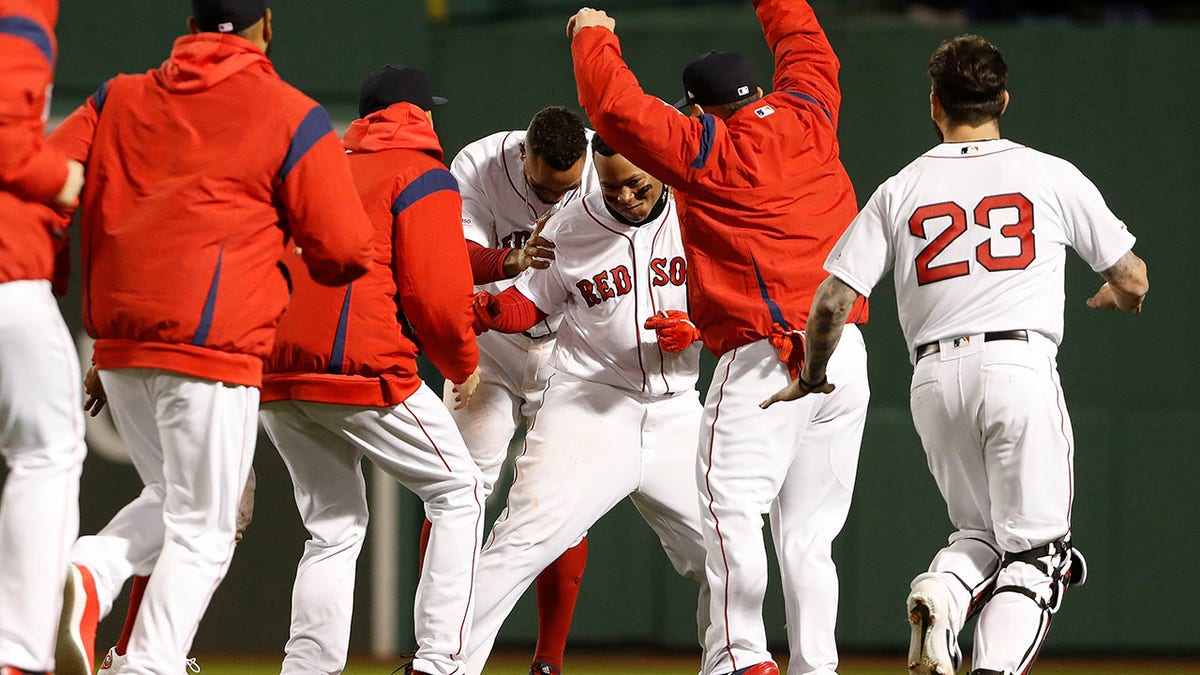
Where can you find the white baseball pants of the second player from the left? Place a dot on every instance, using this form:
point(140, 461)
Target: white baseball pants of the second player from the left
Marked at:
point(193, 443)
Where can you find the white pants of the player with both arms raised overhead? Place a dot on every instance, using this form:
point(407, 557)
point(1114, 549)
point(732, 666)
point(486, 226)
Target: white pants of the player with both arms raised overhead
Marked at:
point(799, 462)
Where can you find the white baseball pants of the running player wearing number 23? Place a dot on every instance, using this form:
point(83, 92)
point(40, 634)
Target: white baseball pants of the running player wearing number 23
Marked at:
point(999, 441)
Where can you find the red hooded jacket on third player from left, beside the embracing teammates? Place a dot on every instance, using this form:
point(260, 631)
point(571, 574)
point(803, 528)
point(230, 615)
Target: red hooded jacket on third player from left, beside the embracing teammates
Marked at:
point(355, 345)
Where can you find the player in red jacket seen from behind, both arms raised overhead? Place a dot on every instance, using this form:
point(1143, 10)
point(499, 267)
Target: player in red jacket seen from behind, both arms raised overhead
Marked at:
point(763, 200)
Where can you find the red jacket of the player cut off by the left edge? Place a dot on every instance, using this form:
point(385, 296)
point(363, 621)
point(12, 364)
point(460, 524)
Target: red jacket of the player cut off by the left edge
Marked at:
point(32, 171)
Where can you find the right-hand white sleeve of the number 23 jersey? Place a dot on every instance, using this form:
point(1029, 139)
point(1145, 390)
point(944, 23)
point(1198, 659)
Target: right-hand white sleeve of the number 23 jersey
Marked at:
point(1093, 230)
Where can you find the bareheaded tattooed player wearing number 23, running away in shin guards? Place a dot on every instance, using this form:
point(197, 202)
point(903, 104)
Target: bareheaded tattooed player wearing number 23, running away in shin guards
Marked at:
point(976, 231)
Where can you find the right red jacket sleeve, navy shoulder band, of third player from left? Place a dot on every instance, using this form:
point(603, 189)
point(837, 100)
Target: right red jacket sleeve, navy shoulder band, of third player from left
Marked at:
point(433, 272)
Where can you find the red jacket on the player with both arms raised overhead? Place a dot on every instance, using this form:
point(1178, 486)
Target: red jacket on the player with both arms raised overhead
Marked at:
point(763, 195)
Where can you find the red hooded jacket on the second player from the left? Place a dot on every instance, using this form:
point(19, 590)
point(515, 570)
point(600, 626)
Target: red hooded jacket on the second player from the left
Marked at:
point(197, 175)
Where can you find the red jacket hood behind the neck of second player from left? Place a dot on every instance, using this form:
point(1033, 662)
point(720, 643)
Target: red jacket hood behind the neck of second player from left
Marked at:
point(201, 62)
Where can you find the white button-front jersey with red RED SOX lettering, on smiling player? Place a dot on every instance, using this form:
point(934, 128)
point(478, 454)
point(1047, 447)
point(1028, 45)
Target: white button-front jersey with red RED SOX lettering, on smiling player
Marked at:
point(608, 279)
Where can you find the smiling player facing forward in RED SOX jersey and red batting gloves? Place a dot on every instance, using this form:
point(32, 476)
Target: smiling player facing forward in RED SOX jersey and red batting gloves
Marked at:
point(621, 413)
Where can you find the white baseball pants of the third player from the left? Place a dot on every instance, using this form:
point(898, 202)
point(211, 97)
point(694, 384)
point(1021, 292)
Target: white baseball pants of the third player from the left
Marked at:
point(418, 445)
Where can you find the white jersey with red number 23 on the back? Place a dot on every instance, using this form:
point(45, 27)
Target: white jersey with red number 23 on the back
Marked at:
point(977, 234)
